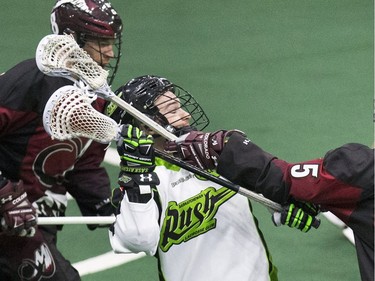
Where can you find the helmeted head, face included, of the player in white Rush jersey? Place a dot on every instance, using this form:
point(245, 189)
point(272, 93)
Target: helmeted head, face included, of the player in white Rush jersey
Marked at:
point(150, 95)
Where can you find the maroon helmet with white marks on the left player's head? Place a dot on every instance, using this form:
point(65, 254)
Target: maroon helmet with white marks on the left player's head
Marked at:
point(89, 19)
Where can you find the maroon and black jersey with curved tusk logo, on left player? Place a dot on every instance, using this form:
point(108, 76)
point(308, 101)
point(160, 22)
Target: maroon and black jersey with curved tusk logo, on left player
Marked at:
point(27, 152)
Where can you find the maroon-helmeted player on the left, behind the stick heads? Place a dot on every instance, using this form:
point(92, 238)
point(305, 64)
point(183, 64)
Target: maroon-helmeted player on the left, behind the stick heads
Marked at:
point(40, 171)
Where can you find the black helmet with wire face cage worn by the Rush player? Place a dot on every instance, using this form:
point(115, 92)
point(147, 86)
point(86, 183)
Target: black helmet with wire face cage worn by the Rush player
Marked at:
point(141, 93)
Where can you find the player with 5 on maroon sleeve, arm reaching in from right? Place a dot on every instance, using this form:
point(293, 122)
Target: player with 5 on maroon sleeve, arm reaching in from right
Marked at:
point(341, 182)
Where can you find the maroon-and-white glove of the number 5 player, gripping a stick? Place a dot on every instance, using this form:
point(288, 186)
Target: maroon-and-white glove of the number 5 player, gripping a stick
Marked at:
point(199, 148)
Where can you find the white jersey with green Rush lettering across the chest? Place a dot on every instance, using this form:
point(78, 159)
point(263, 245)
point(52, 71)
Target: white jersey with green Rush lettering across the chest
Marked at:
point(202, 232)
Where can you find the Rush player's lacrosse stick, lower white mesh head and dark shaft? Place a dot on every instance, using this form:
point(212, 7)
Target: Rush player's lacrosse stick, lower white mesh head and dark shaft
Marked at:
point(68, 114)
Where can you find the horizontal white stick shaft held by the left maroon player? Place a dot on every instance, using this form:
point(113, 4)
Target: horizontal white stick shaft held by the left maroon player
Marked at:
point(75, 220)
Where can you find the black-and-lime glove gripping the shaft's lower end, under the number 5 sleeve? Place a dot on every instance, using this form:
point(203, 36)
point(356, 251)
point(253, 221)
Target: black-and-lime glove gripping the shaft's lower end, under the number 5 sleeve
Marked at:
point(298, 215)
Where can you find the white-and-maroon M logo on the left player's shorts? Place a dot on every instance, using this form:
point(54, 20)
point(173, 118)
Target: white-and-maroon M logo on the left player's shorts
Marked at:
point(43, 265)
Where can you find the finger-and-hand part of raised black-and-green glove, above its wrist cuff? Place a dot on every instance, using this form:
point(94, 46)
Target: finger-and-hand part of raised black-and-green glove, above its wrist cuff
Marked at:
point(136, 151)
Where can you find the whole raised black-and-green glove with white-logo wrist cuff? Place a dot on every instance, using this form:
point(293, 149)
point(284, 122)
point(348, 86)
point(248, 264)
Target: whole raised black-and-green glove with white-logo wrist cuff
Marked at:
point(137, 165)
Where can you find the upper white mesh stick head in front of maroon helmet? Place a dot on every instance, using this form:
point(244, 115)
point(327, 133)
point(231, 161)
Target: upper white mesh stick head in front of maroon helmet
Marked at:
point(60, 55)
